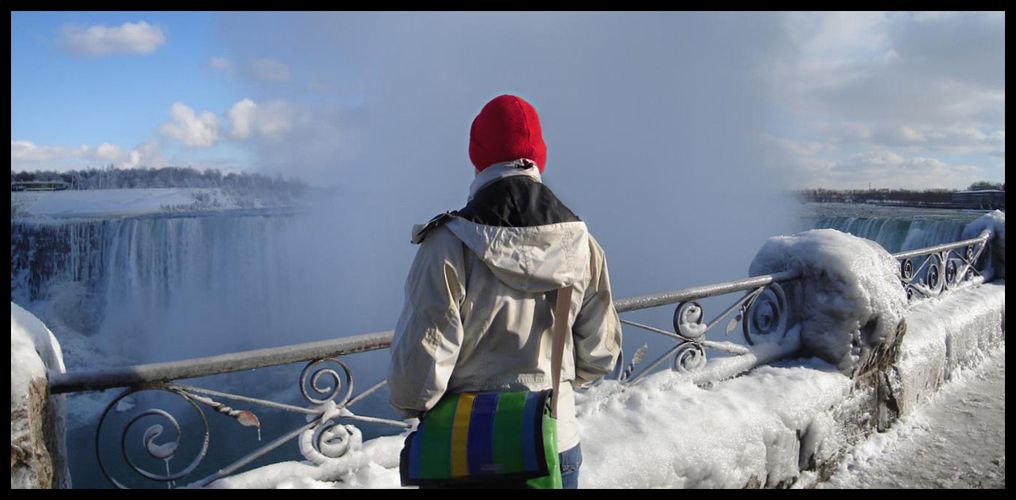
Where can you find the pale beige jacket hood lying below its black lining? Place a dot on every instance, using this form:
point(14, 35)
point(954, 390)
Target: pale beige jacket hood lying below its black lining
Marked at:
point(535, 260)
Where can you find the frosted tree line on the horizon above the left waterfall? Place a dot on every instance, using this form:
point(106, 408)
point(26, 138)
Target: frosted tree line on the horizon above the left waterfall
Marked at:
point(166, 177)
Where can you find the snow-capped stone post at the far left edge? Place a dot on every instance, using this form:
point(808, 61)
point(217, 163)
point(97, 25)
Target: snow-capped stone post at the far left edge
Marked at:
point(38, 427)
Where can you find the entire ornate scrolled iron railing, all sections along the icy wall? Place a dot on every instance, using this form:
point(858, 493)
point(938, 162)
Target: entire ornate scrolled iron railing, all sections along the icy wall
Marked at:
point(765, 311)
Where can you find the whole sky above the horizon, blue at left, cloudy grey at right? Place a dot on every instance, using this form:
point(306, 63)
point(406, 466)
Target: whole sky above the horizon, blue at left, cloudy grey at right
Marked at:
point(352, 99)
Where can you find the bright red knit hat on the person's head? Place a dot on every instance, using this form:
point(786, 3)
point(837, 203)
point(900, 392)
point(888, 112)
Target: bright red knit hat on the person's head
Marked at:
point(507, 129)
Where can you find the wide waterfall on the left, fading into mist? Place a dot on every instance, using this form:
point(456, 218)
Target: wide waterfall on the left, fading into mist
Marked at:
point(171, 287)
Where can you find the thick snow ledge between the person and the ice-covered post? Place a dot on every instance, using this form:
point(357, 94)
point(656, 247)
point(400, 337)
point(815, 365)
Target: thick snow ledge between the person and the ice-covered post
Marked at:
point(669, 433)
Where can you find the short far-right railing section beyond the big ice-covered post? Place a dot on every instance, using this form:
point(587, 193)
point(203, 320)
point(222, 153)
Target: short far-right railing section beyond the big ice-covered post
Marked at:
point(941, 268)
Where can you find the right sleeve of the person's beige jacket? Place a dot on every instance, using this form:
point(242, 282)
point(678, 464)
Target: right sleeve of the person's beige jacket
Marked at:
point(597, 332)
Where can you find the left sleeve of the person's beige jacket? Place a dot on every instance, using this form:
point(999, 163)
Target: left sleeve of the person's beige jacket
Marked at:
point(429, 333)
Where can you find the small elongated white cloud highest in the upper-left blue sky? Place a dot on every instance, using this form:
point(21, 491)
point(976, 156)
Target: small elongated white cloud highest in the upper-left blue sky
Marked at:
point(130, 38)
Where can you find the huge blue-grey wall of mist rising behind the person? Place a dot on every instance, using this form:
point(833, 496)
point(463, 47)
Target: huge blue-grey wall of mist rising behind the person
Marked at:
point(653, 123)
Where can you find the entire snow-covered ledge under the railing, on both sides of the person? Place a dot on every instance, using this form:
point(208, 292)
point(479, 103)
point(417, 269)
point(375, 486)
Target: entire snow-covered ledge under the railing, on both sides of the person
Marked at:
point(783, 425)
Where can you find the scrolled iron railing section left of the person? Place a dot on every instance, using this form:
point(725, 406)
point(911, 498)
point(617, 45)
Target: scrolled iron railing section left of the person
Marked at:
point(322, 383)
